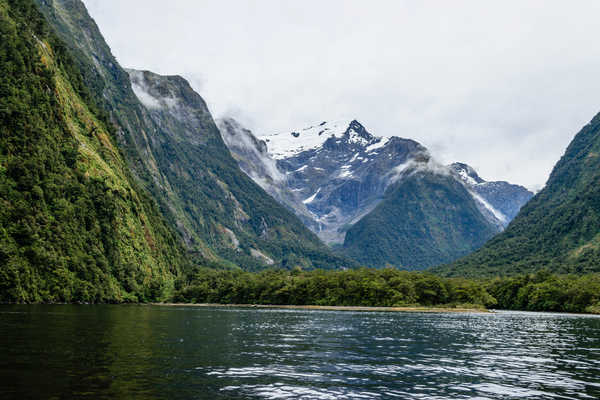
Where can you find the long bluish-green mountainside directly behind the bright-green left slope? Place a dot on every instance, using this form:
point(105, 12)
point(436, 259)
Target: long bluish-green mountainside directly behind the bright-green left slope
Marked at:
point(172, 143)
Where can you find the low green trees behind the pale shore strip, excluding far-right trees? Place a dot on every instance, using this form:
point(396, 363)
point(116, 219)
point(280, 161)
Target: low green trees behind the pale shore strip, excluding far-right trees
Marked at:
point(361, 287)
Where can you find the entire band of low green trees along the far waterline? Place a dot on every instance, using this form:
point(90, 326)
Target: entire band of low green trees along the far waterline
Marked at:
point(387, 287)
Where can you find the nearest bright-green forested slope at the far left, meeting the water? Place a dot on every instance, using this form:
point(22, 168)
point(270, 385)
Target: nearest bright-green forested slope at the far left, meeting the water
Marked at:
point(74, 225)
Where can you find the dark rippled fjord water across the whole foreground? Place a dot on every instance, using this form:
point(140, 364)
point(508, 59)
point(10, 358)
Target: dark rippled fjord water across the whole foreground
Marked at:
point(154, 352)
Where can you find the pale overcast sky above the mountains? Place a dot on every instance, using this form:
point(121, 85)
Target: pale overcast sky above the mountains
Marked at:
point(501, 85)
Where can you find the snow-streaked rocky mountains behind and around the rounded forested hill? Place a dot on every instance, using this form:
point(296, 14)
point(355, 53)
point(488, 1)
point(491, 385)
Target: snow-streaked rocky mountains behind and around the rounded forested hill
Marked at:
point(336, 172)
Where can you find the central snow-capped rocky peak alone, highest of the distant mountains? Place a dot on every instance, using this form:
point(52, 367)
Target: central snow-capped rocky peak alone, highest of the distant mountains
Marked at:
point(339, 170)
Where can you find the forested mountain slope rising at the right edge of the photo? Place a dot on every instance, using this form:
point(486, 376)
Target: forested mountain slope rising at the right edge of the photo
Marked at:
point(559, 229)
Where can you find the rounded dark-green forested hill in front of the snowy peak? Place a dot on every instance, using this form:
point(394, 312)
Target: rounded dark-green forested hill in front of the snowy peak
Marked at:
point(424, 220)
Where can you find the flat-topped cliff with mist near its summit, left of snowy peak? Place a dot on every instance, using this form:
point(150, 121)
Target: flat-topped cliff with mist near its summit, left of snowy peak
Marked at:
point(226, 209)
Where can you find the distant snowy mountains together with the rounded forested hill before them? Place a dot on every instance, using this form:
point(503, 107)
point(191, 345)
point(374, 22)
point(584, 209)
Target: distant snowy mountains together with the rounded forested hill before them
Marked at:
point(336, 174)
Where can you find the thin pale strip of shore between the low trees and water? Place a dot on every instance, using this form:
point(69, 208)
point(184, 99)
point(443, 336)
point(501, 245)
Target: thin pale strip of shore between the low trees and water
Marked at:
point(331, 308)
